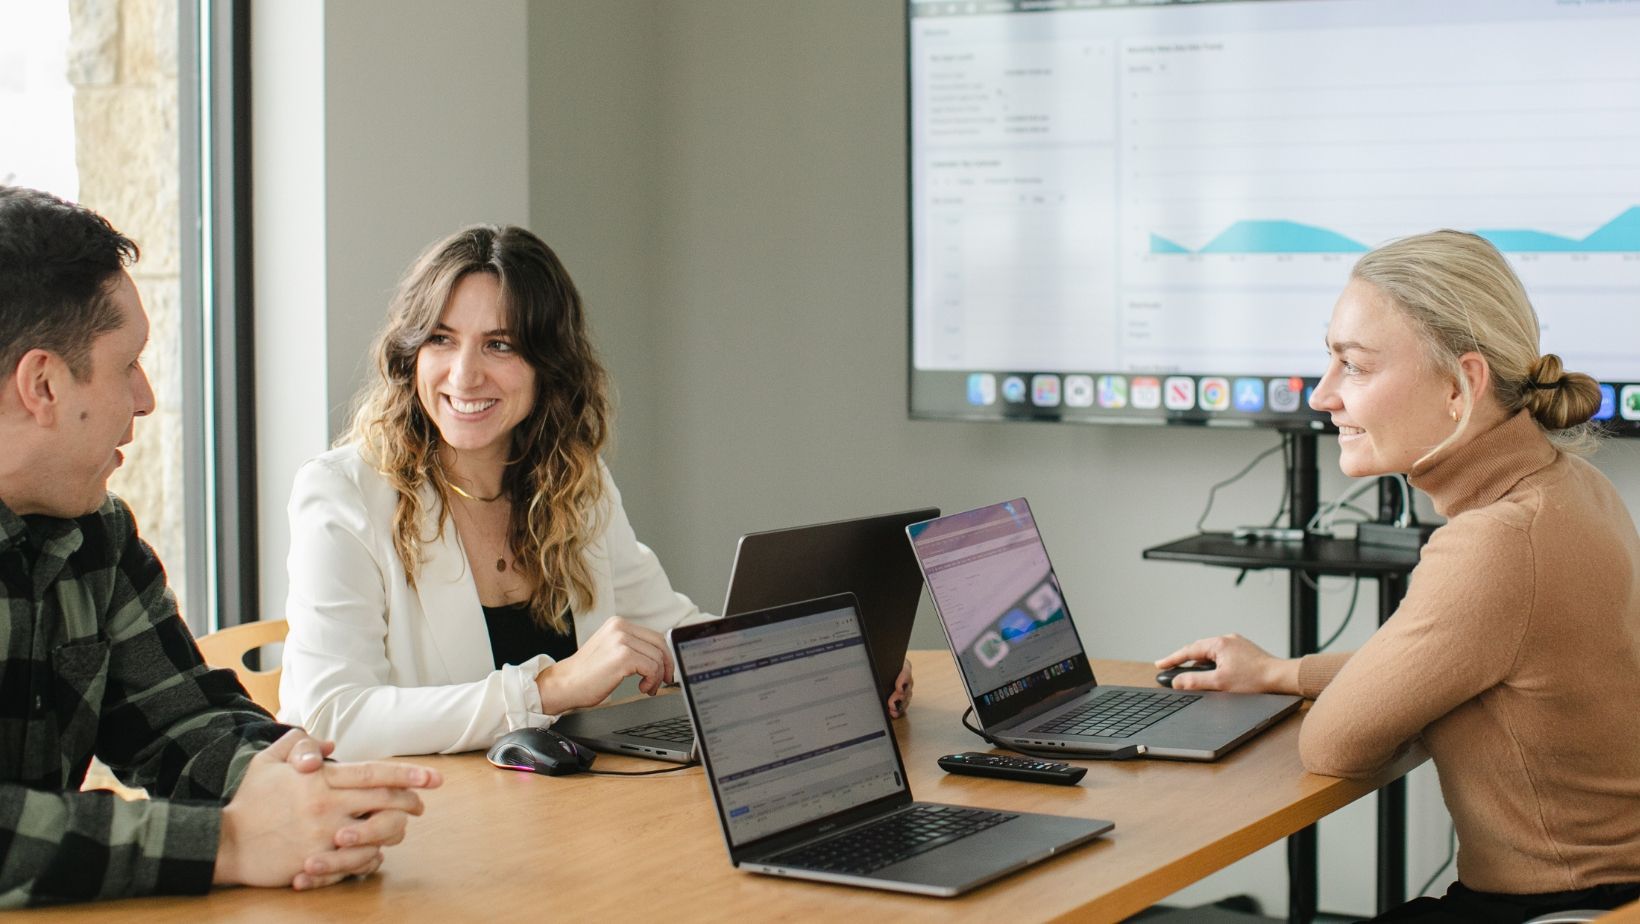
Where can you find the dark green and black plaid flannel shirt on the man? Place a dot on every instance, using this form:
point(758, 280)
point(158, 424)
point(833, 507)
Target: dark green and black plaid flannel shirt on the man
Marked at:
point(94, 659)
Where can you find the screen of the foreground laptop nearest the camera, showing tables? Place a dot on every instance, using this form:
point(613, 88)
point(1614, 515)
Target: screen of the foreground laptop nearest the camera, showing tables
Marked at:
point(790, 720)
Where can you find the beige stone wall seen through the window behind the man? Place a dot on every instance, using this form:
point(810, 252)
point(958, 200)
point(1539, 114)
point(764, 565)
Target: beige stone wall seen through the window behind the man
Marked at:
point(124, 70)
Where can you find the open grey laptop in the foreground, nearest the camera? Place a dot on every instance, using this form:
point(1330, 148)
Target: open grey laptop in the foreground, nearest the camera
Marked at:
point(806, 772)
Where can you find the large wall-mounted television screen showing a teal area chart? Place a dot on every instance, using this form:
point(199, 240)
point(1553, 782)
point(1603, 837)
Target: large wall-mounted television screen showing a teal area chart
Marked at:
point(1144, 213)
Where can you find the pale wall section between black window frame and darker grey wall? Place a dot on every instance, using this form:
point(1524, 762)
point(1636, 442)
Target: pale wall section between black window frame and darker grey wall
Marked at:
point(380, 126)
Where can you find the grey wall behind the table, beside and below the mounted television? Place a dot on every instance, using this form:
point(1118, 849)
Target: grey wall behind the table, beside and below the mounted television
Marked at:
point(727, 183)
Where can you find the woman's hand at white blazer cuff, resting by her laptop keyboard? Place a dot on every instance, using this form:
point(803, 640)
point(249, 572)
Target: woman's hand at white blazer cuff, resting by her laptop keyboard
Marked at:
point(617, 651)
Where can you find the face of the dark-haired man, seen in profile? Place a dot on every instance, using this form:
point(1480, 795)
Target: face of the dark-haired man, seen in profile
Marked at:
point(98, 414)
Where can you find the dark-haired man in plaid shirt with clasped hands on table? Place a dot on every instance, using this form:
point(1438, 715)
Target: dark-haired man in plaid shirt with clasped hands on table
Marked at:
point(94, 659)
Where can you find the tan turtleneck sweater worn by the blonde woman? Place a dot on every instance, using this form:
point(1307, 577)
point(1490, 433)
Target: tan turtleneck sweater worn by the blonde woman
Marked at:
point(1516, 657)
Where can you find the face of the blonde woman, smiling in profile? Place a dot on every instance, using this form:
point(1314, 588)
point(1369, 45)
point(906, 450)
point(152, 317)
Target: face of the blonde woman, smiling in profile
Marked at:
point(1385, 395)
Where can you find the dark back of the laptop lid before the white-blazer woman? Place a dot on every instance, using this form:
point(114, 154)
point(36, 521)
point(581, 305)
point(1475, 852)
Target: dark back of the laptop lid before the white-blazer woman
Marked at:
point(867, 557)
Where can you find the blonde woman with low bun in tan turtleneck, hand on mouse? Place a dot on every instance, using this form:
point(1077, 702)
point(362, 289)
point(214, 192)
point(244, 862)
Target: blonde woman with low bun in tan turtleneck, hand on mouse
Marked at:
point(1515, 657)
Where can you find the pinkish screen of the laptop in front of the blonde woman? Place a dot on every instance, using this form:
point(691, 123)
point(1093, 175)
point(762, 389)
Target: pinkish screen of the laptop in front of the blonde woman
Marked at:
point(1001, 606)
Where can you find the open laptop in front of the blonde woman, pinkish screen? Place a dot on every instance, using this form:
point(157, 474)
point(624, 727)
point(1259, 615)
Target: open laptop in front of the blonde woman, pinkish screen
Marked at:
point(1024, 666)
